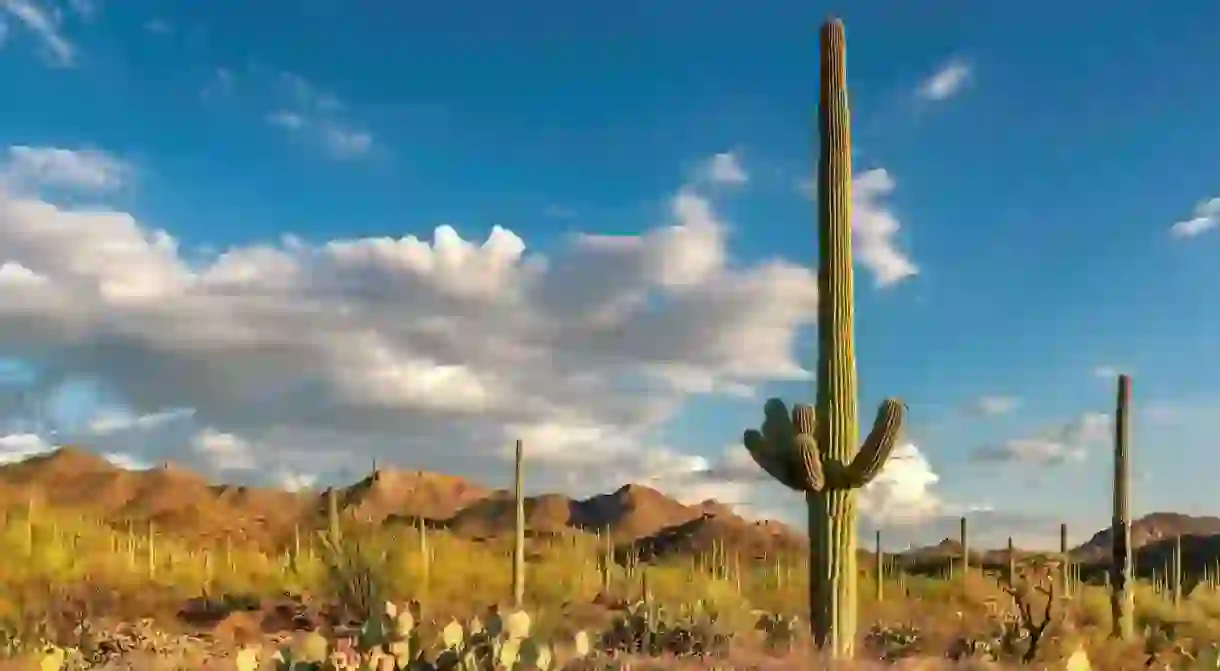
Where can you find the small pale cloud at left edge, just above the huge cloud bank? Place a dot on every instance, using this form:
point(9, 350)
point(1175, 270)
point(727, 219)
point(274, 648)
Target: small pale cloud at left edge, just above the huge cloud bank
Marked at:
point(43, 168)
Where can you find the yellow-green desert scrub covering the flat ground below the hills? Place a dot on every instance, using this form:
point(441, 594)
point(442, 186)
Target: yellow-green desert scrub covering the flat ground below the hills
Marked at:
point(143, 594)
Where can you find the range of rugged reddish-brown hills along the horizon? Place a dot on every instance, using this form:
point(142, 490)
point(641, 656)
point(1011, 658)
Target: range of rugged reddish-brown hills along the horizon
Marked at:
point(185, 503)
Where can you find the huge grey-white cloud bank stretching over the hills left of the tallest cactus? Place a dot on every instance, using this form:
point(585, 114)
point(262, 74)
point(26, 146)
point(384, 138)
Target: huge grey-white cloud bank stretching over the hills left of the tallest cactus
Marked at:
point(302, 362)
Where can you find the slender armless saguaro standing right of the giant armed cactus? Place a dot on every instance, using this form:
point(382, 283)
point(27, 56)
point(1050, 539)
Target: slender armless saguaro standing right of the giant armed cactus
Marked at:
point(1122, 586)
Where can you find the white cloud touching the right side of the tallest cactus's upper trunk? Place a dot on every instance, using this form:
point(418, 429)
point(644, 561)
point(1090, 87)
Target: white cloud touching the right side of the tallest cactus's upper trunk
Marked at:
point(875, 228)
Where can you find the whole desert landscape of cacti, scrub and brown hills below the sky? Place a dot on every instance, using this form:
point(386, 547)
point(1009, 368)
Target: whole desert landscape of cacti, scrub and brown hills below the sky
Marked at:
point(110, 569)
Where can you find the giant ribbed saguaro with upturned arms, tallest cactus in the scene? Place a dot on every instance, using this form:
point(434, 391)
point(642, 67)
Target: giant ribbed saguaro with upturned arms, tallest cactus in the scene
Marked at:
point(818, 456)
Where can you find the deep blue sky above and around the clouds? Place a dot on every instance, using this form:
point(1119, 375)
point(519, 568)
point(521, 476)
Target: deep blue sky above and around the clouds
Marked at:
point(1036, 187)
